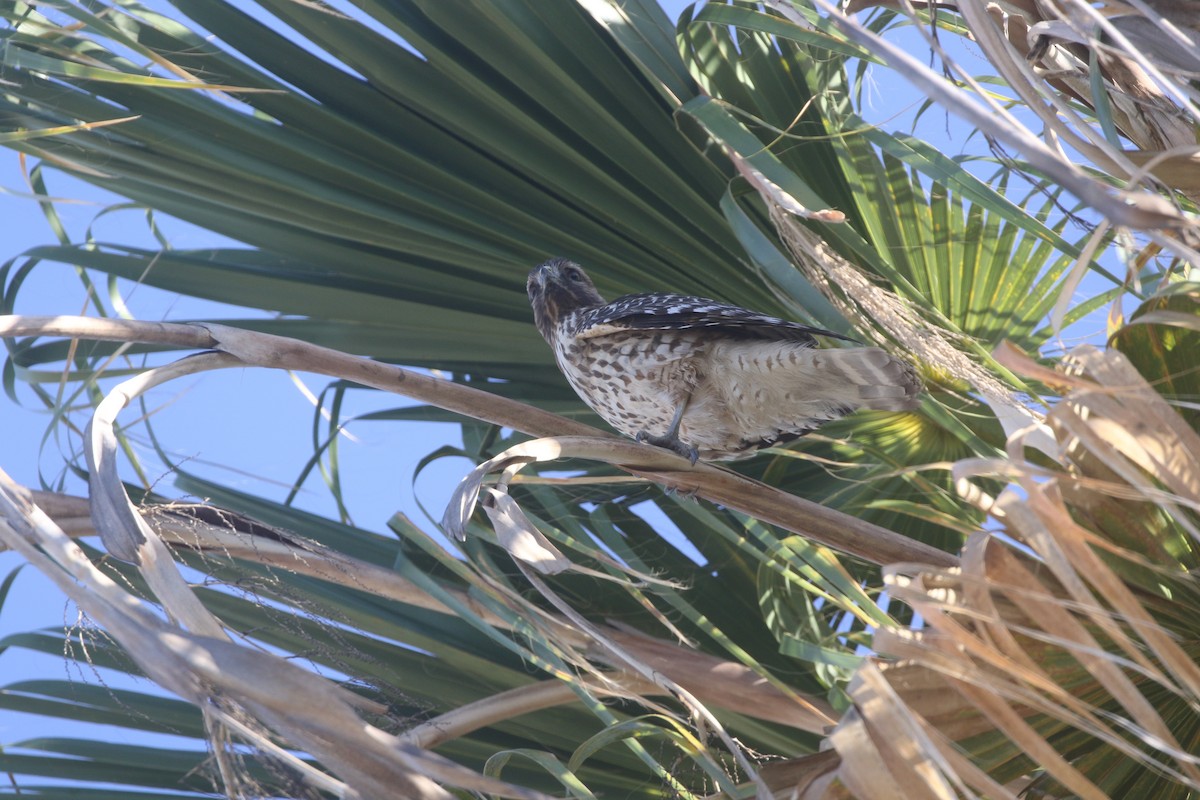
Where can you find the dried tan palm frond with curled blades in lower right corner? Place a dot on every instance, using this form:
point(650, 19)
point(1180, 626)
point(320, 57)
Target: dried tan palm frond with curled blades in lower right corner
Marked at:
point(1063, 653)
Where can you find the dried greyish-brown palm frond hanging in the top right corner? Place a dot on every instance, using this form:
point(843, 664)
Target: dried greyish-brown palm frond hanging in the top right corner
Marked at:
point(1132, 65)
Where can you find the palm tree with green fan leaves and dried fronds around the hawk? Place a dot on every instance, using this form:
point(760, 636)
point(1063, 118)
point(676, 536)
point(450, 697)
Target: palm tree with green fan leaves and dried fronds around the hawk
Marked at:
point(394, 170)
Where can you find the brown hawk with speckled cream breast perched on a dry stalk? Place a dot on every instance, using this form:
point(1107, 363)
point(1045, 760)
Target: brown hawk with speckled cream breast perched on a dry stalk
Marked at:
point(703, 378)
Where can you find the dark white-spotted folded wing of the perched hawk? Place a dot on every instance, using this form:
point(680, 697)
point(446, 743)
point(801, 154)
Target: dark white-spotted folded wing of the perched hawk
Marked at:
point(675, 312)
